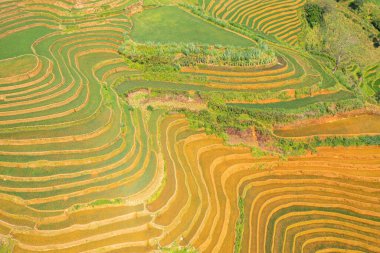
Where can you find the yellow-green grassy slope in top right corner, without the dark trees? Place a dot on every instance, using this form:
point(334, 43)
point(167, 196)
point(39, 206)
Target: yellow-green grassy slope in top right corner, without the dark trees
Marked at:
point(349, 34)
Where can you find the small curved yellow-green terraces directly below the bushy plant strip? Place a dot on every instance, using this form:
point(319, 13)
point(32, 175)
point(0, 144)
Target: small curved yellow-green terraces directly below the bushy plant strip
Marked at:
point(290, 72)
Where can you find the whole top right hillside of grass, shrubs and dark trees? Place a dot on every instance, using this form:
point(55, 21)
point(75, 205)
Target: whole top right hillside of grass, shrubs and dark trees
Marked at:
point(344, 35)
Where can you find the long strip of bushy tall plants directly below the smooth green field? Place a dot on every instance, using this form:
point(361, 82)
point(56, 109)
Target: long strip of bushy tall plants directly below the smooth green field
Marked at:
point(177, 55)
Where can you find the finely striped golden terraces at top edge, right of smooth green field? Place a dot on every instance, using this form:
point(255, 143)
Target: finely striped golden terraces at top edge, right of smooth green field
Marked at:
point(274, 17)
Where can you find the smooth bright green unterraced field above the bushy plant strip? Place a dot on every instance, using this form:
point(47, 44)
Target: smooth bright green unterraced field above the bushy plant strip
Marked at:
point(171, 24)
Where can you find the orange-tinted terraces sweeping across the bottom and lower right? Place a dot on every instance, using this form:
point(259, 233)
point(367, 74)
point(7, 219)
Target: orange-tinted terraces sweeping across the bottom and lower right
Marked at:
point(287, 203)
